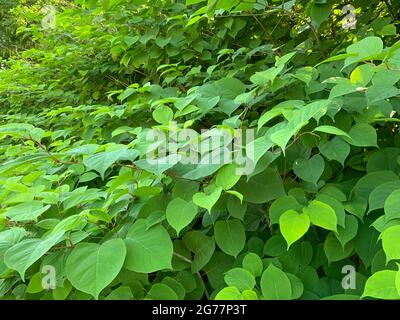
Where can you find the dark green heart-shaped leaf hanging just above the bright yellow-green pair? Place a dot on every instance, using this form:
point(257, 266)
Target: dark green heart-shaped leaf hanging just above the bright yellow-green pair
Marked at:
point(309, 170)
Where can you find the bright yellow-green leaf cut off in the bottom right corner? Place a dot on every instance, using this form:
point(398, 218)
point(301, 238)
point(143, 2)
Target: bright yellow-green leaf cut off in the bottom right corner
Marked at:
point(382, 285)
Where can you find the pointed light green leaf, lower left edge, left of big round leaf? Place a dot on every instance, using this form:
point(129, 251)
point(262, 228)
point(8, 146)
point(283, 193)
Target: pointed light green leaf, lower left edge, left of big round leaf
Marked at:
point(25, 253)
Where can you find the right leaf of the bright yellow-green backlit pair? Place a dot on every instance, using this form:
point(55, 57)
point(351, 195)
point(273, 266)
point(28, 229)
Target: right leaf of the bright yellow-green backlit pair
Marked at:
point(321, 215)
